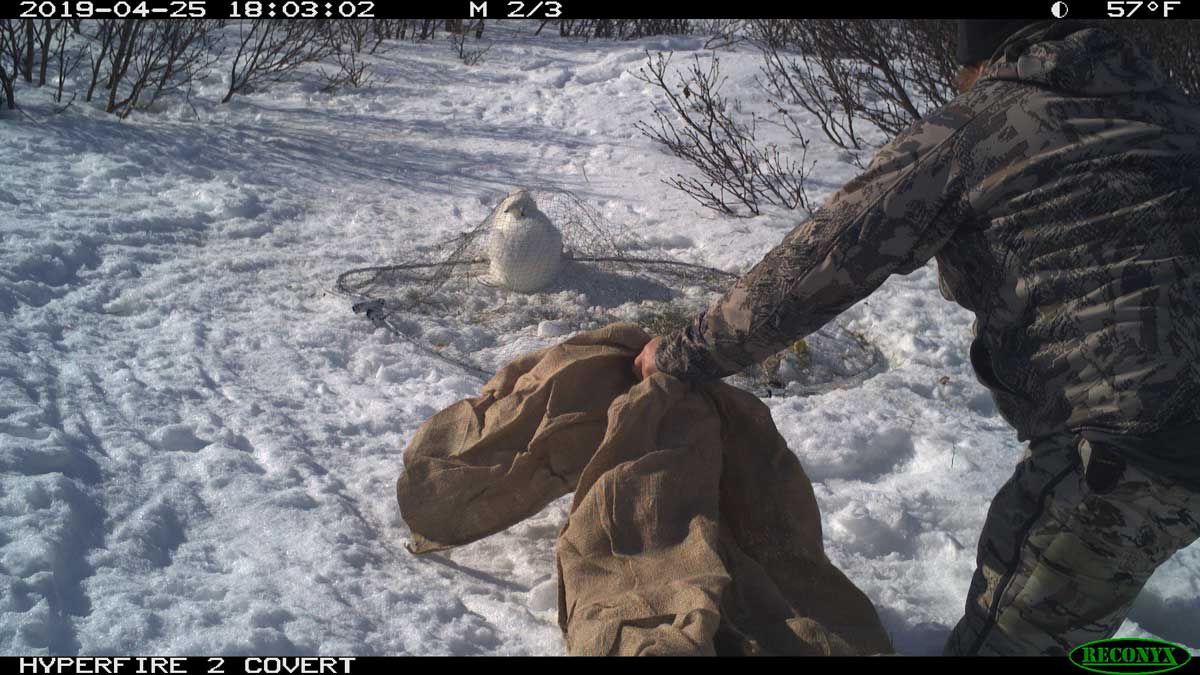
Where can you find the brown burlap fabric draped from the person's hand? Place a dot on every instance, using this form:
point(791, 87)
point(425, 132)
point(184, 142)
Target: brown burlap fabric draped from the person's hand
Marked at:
point(694, 530)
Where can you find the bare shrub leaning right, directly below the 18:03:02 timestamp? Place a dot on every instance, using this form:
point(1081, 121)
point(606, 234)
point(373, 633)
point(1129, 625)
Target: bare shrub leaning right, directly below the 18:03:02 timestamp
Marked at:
point(271, 50)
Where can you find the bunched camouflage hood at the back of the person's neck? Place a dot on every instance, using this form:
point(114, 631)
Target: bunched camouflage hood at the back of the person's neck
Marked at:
point(1076, 58)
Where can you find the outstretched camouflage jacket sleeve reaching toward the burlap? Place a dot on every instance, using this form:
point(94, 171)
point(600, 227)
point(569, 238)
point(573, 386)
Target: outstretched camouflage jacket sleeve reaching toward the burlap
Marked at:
point(890, 220)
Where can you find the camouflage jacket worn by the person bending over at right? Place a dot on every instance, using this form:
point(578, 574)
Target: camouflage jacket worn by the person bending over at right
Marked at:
point(1061, 198)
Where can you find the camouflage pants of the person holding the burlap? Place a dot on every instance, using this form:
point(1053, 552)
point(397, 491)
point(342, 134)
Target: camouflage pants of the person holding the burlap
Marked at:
point(1065, 551)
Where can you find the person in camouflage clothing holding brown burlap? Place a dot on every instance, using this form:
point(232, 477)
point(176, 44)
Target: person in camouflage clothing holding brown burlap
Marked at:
point(1060, 194)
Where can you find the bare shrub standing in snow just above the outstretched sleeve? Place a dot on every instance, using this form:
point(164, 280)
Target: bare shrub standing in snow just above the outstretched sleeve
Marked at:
point(739, 174)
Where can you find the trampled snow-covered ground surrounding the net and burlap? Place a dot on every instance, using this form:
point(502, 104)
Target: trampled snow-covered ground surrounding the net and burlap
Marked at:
point(200, 444)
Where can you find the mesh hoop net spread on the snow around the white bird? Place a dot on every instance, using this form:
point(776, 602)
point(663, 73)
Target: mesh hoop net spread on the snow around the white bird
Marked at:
point(446, 302)
